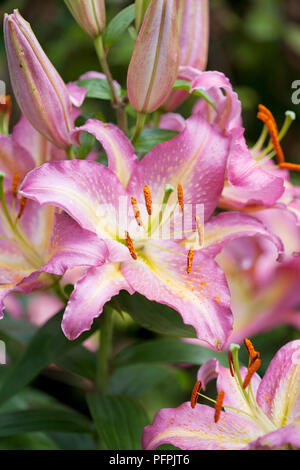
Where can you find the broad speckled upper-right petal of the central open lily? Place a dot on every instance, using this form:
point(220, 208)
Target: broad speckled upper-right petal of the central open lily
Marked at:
point(196, 159)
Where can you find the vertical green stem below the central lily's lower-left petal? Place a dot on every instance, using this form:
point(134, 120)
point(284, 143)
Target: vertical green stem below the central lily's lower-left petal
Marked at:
point(104, 351)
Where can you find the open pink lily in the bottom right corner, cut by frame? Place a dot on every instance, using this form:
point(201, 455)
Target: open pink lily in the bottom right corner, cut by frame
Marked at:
point(259, 413)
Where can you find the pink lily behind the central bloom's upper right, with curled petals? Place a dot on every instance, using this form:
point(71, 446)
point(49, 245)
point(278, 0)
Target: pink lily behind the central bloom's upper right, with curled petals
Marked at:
point(250, 179)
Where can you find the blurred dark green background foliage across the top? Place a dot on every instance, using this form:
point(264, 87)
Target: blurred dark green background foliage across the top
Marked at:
point(256, 43)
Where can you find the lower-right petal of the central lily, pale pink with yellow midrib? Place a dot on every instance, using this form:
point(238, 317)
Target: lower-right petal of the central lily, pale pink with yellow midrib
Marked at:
point(201, 297)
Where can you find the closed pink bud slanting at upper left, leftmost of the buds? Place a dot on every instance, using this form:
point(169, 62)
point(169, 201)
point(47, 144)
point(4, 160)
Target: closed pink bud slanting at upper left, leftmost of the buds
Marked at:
point(39, 90)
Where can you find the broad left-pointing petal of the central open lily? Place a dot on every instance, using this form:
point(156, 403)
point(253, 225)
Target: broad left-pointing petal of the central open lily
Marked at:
point(82, 189)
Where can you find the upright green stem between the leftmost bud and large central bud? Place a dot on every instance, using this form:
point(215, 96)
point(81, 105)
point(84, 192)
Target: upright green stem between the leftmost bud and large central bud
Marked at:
point(117, 100)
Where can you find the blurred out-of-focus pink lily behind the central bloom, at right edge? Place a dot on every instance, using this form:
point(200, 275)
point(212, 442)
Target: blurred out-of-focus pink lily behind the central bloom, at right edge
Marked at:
point(264, 293)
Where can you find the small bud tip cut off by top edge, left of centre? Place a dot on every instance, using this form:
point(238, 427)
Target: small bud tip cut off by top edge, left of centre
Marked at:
point(89, 14)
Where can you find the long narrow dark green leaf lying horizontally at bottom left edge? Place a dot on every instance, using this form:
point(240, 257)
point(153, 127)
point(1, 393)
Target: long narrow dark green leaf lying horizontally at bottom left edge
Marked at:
point(18, 422)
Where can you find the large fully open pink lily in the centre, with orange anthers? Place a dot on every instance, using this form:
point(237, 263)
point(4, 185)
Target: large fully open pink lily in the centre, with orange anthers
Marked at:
point(169, 271)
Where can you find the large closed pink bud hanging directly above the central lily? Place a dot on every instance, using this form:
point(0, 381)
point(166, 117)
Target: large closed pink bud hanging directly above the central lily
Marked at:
point(154, 64)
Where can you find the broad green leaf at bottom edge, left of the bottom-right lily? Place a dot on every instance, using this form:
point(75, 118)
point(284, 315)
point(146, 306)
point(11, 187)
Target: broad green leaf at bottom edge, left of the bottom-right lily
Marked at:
point(119, 421)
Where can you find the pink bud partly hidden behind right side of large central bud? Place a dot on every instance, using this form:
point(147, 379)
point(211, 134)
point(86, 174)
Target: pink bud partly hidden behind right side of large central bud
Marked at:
point(193, 20)
